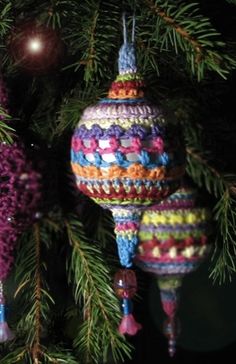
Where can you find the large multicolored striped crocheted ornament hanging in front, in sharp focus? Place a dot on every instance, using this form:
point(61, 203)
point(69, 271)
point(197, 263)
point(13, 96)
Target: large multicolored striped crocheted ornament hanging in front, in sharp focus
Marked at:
point(123, 155)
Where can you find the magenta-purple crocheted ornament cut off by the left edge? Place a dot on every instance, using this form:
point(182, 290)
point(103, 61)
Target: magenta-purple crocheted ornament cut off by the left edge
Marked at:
point(19, 199)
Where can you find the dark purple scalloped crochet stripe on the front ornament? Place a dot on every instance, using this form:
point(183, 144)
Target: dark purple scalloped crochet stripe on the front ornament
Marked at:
point(118, 132)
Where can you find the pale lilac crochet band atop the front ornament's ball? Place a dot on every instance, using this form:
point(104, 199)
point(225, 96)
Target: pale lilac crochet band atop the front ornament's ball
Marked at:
point(121, 110)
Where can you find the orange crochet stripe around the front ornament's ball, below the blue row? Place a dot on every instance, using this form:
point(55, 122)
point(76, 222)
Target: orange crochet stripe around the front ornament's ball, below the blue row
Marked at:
point(135, 171)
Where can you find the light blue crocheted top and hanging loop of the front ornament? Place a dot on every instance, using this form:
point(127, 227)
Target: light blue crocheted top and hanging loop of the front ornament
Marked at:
point(127, 56)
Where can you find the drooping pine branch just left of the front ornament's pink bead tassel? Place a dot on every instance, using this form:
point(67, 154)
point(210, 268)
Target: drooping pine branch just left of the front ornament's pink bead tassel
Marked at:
point(89, 274)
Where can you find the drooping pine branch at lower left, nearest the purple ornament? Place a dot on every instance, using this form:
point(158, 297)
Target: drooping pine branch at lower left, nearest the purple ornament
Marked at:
point(35, 298)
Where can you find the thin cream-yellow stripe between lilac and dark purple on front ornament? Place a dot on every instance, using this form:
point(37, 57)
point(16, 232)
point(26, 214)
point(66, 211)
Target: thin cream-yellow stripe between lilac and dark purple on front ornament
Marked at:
point(126, 123)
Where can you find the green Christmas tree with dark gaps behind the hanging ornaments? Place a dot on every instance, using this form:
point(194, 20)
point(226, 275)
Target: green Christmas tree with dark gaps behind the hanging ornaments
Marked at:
point(57, 58)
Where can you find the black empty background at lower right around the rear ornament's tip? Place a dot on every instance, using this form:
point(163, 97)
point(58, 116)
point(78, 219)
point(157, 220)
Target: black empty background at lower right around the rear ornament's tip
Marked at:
point(206, 315)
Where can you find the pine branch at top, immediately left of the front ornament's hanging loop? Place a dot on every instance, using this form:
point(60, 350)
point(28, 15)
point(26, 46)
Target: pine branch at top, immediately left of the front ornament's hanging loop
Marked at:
point(97, 39)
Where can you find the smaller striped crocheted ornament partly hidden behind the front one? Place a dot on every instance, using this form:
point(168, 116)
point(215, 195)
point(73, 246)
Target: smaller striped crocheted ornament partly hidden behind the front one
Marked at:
point(173, 243)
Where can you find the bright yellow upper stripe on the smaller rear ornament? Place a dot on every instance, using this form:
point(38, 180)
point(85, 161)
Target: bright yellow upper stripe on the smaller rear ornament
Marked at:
point(175, 217)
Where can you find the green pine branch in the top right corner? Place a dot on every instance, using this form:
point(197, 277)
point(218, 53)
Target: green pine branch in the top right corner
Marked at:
point(181, 27)
